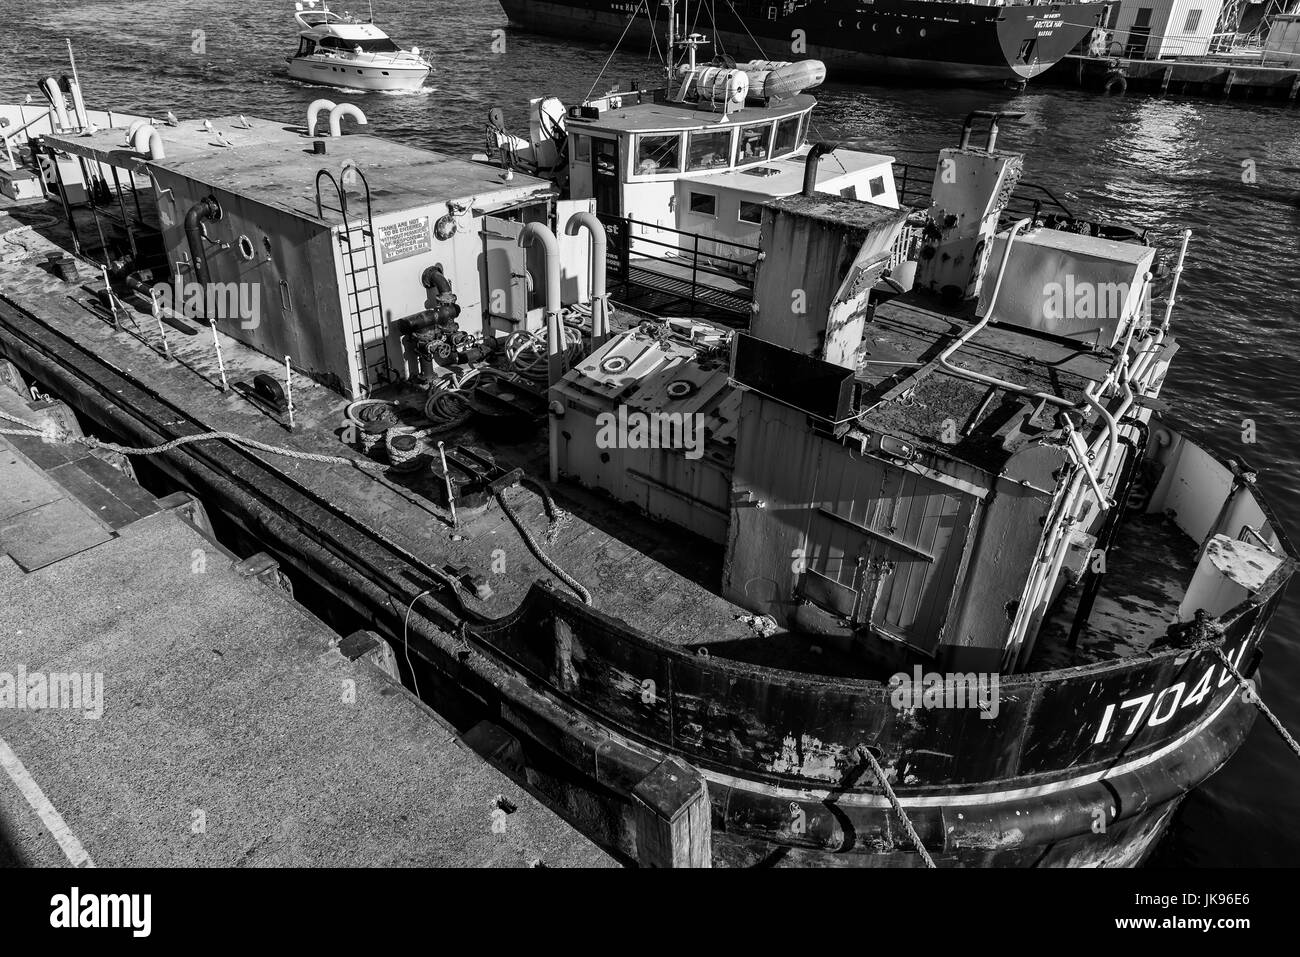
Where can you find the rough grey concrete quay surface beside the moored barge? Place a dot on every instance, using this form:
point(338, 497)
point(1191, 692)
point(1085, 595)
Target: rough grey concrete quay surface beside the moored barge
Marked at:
point(235, 729)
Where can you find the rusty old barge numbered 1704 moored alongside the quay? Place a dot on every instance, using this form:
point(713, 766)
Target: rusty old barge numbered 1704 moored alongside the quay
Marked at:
point(730, 646)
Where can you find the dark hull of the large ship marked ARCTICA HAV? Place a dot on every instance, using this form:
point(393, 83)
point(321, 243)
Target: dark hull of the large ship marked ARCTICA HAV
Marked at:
point(886, 41)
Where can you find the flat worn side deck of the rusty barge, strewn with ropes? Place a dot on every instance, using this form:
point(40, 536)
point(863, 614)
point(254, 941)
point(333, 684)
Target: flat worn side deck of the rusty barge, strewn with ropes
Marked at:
point(636, 570)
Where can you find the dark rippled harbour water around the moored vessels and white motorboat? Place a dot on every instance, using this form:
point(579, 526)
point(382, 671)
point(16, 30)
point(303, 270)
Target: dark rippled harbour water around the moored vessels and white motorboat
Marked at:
point(1163, 164)
